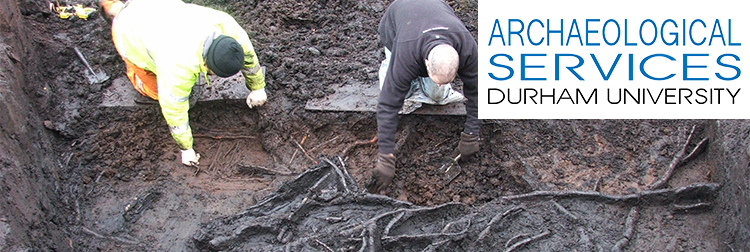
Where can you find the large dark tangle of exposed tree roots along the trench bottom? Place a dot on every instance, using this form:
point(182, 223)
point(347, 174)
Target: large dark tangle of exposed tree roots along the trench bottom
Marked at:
point(349, 219)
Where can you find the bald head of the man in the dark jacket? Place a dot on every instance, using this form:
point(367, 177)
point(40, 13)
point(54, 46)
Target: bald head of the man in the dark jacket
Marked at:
point(442, 64)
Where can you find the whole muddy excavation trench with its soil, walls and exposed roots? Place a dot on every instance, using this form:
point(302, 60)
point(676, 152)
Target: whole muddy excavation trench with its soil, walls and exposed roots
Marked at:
point(79, 177)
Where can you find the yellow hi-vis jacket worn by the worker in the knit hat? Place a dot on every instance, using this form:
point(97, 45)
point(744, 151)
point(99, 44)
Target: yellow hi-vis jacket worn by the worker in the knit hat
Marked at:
point(169, 38)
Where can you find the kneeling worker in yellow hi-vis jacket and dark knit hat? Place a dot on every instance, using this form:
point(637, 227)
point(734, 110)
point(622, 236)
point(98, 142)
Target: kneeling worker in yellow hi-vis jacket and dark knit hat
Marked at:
point(177, 42)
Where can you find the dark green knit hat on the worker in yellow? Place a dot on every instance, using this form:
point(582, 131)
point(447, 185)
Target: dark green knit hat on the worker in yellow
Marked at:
point(225, 56)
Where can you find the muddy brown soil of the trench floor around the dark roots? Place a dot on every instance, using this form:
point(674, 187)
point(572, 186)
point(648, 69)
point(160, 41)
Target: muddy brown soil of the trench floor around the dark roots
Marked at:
point(126, 189)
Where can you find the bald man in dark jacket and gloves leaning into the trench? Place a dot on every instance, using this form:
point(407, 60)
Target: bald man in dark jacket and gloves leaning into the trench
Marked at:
point(424, 38)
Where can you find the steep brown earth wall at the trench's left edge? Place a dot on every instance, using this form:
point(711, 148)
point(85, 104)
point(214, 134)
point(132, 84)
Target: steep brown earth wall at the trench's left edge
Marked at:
point(30, 206)
